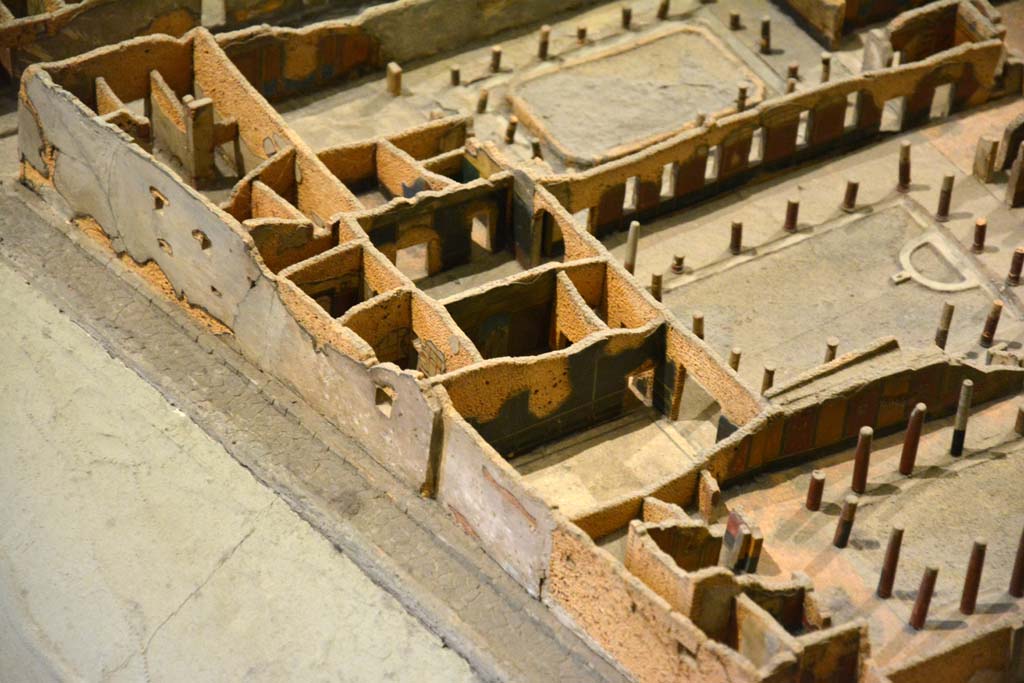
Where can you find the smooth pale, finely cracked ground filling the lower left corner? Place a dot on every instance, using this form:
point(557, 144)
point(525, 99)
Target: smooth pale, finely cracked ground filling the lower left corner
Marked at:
point(134, 547)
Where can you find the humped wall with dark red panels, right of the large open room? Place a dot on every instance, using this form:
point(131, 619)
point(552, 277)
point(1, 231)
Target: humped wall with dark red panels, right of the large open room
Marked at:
point(877, 388)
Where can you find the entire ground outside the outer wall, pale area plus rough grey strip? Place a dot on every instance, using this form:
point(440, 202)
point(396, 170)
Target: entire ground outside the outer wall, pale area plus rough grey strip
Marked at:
point(201, 569)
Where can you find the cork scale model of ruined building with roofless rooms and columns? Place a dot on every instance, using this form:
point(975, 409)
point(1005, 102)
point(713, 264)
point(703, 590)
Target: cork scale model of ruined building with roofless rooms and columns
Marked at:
point(711, 339)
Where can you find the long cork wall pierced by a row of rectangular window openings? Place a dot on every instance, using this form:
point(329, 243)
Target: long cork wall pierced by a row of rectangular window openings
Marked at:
point(821, 113)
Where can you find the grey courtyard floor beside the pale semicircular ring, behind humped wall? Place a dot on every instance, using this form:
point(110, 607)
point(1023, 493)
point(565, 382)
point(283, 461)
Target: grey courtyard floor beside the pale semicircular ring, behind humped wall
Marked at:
point(848, 270)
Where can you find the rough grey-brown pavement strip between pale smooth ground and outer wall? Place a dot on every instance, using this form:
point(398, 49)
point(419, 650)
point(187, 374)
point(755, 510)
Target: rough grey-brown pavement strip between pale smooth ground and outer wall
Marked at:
point(407, 545)
